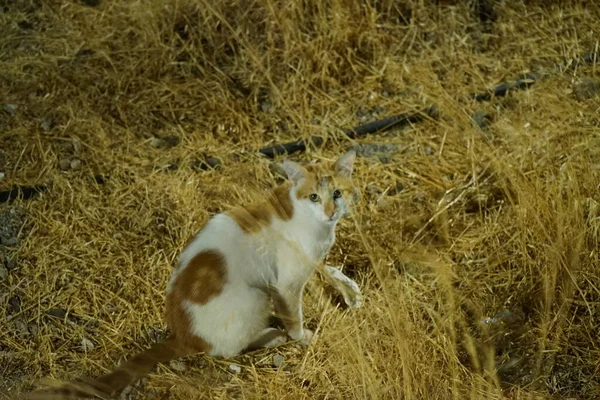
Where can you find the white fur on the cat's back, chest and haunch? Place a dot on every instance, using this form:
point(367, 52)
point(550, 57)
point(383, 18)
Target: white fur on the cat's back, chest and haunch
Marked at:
point(281, 256)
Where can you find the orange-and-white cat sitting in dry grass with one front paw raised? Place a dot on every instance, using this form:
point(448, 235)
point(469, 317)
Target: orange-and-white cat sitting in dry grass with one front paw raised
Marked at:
point(243, 263)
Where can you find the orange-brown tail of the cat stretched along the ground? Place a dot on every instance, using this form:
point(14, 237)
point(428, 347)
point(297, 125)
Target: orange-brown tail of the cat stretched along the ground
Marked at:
point(106, 386)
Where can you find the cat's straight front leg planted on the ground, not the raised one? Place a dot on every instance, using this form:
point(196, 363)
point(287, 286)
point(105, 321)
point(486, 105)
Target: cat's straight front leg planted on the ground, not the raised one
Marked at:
point(288, 307)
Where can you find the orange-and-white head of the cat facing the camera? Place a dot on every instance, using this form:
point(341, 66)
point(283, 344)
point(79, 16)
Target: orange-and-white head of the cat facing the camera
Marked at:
point(324, 190)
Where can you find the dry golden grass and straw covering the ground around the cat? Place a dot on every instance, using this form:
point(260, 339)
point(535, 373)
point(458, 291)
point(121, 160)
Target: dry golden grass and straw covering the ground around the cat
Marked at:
point(459, 224)
